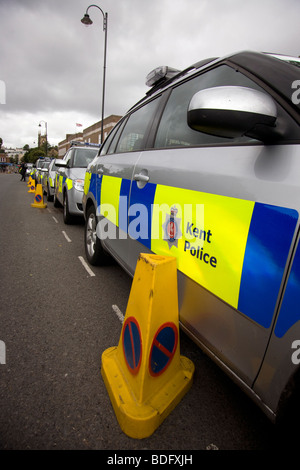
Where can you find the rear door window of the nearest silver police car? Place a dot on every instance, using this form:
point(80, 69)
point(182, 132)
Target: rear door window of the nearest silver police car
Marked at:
point(132, 137)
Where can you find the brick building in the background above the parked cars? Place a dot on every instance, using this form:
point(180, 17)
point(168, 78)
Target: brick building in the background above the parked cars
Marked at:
point(91, 134)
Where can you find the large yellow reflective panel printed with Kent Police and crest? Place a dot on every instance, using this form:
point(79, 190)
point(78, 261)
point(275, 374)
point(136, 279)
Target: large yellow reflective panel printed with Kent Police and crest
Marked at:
point(214, 236)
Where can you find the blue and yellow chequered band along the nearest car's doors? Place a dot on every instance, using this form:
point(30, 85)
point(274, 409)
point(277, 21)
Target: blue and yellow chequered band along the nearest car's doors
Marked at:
point(242, 251)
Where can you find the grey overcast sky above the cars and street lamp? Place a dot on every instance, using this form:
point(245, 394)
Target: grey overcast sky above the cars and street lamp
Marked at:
point(51, 65)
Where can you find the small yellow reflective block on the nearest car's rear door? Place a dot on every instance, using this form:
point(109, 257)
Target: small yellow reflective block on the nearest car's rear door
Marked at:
point(110, 194)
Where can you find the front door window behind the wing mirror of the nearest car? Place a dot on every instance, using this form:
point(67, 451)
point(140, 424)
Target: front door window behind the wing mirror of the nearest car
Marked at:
point(174, 131)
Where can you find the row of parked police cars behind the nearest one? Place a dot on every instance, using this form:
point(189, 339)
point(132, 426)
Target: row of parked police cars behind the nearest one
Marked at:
point(62, 180)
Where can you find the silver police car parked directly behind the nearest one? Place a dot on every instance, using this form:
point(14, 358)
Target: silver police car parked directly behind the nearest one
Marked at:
point(69, 179)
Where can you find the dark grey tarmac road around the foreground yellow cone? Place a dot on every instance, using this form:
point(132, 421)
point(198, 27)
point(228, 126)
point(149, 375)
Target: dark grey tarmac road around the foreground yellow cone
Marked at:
point(56, 320)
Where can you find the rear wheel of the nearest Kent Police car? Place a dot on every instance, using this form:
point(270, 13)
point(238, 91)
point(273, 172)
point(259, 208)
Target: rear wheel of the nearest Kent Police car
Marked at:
point(93, 248)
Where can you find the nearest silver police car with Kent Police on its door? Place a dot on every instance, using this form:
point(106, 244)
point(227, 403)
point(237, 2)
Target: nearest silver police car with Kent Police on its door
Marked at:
point(206, 168)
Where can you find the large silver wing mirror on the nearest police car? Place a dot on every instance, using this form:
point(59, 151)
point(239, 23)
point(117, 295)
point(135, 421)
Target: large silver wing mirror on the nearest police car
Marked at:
point(232, 111)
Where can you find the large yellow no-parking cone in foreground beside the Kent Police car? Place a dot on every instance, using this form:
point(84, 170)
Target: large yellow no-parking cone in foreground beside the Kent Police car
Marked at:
point(145, 375)
